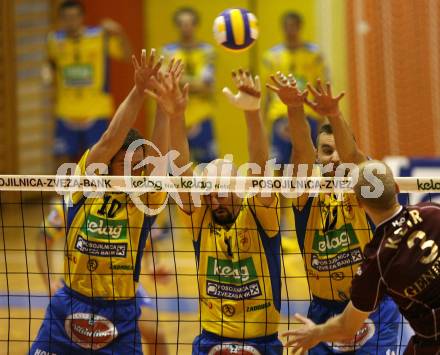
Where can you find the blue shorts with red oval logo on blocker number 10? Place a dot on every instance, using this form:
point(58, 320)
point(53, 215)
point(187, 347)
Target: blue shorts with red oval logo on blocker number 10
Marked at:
point(75, 324)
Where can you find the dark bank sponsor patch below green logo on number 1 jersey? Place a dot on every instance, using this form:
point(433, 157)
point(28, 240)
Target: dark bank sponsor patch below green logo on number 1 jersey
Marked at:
point(232, 292)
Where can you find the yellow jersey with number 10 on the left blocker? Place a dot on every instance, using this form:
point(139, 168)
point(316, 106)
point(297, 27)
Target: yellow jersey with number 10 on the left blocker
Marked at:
point(105, 241)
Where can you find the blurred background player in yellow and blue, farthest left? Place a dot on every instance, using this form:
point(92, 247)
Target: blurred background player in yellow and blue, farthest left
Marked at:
point(79, 57)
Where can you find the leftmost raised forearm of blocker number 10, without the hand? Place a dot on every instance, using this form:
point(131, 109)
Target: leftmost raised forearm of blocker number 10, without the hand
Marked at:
point(113, 138)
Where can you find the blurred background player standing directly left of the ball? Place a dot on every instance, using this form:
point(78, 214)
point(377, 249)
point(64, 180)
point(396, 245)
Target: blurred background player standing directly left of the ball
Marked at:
point(198, 58)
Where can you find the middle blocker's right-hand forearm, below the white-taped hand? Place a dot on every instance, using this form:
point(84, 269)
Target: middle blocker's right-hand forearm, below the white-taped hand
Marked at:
point(258, 147)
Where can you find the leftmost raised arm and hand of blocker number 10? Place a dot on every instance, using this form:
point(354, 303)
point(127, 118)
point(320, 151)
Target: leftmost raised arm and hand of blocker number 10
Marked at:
point(125, 117)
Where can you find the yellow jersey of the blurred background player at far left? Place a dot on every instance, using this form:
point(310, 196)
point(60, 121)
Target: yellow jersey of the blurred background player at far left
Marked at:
point(82, 73)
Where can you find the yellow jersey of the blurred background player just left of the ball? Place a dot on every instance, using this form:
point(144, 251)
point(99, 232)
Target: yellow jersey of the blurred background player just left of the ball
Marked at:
point(199, 66)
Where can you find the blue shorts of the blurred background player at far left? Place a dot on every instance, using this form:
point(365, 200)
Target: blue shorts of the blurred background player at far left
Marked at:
point(73, 141)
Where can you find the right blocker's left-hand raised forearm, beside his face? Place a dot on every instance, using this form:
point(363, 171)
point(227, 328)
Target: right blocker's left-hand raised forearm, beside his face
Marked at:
point(303, 151)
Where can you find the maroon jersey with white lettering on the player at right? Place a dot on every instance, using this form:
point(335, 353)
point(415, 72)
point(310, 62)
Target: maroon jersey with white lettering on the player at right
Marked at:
point(403, 260)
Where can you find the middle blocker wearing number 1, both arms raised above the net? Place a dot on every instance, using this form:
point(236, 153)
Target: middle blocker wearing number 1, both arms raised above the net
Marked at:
point(236, 240)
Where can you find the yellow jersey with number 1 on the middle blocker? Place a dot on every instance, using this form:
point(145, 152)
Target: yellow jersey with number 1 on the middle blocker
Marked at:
point(239, 271)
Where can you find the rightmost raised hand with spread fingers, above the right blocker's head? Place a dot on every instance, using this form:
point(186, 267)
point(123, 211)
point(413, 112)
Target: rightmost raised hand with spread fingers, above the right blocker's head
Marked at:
point(324, 103)
